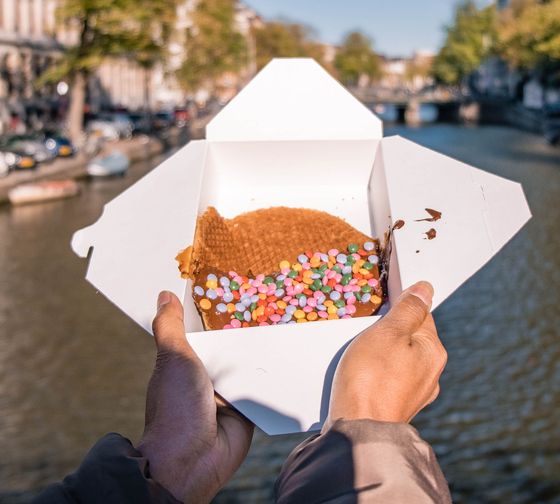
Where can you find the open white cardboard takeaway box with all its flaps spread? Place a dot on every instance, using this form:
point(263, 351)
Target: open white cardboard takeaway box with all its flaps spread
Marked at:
point(295, 137)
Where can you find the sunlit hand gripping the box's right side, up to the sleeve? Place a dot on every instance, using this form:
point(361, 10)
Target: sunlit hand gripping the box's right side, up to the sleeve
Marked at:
point(391, 370)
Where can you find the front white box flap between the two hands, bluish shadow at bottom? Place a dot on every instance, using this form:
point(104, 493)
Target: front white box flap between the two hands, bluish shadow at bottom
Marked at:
point(281, 380)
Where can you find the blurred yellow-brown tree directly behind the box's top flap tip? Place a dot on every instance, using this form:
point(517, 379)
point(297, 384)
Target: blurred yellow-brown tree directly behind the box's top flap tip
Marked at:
point(278, 39)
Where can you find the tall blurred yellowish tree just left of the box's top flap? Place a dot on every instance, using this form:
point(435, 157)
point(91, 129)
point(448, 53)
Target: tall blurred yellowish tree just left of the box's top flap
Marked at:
point(214, 45)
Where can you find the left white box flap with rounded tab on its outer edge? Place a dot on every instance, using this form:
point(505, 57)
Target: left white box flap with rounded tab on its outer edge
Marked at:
point(139, 234)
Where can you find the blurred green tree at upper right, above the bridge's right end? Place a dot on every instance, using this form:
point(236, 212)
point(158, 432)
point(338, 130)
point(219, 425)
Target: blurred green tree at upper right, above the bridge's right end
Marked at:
point(469, 40)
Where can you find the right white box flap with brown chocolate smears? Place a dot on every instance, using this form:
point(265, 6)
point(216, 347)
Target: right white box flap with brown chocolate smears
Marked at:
point(480, 213)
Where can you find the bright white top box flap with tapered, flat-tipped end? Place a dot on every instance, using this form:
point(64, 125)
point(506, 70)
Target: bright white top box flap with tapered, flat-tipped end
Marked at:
point(294, 99)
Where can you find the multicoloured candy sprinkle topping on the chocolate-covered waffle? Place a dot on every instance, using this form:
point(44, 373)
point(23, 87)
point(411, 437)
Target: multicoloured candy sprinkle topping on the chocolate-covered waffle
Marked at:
point(317, 287)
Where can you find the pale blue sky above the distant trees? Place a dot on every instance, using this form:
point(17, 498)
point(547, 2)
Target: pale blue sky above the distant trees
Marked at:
point(398, 27)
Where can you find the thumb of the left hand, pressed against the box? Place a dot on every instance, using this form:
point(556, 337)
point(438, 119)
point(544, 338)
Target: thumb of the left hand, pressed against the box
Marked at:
point(168, 325)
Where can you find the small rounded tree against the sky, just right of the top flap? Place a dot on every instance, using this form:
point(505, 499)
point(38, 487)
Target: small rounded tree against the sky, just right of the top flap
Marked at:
point(355, 58)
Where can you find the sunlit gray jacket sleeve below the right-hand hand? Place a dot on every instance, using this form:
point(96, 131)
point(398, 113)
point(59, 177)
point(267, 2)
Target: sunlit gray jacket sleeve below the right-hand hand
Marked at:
point(363, 461)
